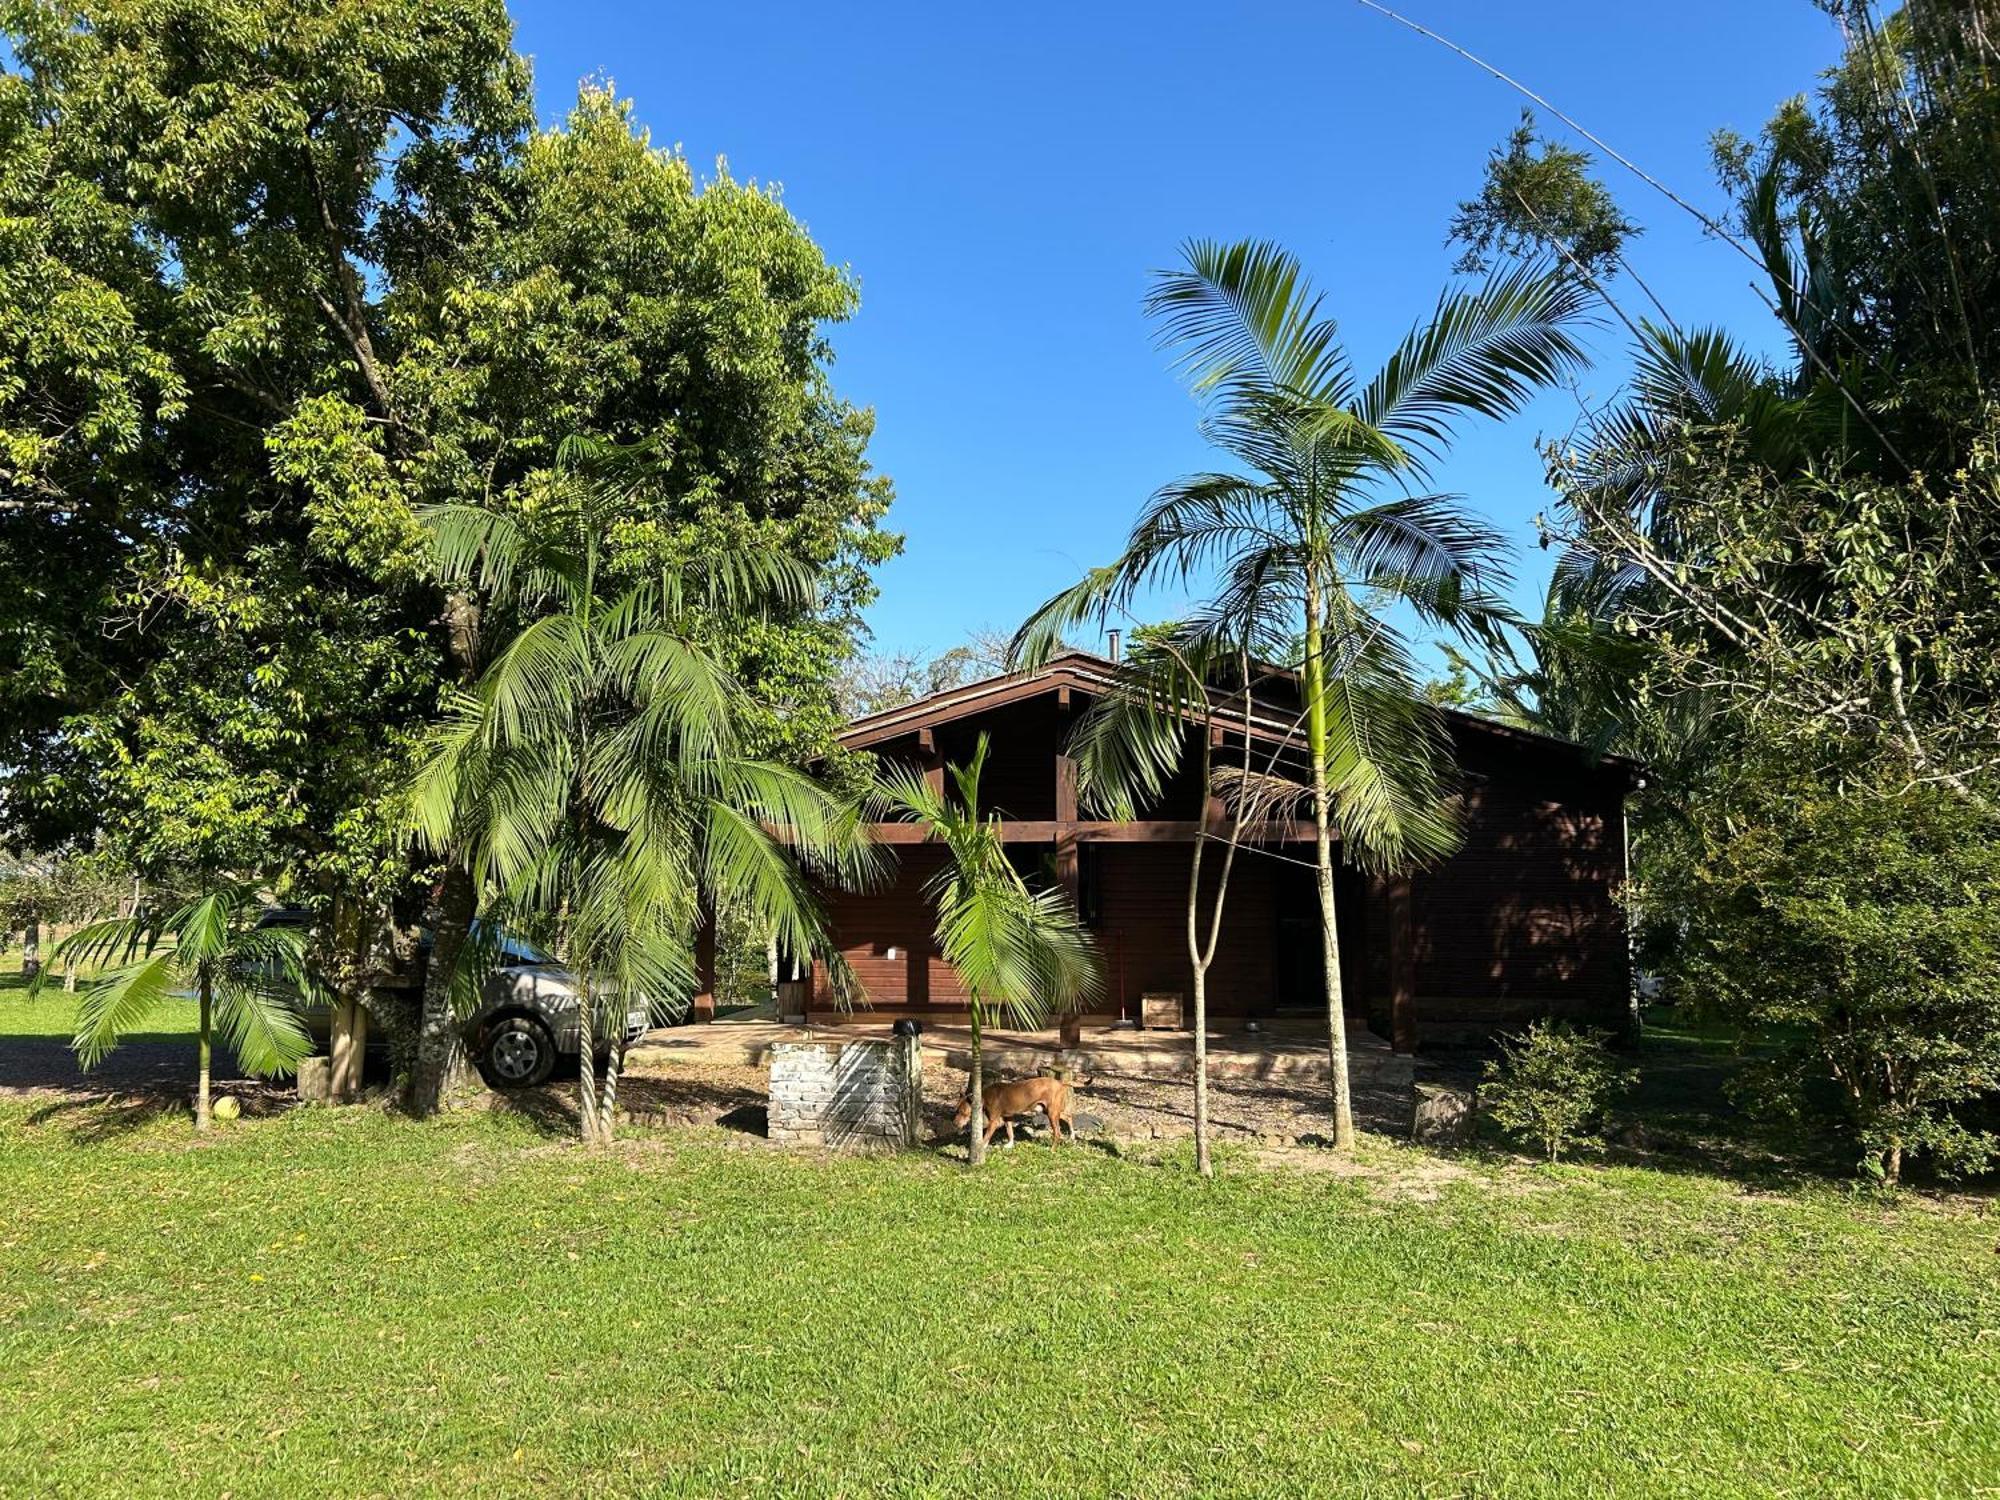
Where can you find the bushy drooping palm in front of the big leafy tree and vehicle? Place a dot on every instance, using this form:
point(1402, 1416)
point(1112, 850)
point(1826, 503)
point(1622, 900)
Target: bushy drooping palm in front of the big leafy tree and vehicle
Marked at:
point(595, 779)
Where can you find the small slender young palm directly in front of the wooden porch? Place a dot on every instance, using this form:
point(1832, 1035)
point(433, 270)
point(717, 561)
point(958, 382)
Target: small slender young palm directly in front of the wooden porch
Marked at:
point(1021, 953)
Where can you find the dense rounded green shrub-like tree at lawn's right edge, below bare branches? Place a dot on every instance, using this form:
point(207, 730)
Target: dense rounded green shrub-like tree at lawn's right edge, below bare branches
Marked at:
point(1859, 925)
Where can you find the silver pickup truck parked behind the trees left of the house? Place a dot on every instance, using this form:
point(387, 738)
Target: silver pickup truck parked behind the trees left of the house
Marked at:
point(527, 1021)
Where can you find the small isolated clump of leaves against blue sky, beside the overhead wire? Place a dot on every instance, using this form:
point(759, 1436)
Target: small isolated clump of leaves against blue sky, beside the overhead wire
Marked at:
point(1539, 199)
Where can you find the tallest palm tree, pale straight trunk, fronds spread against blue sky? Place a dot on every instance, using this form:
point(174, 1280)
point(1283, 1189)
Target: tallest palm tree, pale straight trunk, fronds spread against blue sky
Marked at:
point(1327, 525)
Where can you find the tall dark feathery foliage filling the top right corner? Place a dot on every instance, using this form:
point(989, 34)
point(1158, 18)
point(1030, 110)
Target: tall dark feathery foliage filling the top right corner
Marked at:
point(1873, 205)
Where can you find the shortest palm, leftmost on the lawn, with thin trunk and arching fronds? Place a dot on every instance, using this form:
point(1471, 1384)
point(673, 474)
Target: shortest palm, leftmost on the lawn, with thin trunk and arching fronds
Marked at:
point(245, 977)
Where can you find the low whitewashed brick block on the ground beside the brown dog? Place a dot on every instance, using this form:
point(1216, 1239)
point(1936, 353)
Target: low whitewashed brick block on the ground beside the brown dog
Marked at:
point(865, 1095)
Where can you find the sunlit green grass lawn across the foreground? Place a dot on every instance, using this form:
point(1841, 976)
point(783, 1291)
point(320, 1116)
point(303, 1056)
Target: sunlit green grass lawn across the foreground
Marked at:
point(345, 1303)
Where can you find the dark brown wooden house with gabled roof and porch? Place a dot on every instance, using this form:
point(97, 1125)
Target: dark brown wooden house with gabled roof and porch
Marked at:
point(1519, 923)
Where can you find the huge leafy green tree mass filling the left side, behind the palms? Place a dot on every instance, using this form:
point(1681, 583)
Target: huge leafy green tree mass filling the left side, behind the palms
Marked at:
point(291, 273)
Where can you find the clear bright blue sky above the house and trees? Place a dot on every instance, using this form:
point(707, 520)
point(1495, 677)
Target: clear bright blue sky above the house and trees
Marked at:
point(1001, 181)
